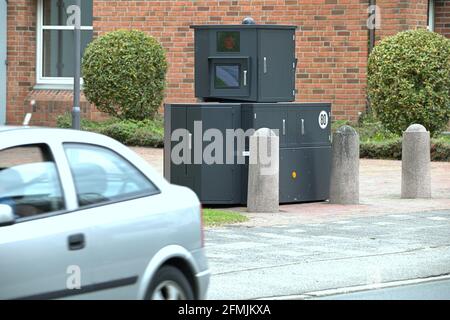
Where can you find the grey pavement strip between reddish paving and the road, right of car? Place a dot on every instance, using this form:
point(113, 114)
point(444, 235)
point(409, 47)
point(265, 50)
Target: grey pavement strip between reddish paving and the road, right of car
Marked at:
point(270, 262)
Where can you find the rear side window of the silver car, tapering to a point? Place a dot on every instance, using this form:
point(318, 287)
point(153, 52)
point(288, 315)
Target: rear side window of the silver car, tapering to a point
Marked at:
point(101, 175)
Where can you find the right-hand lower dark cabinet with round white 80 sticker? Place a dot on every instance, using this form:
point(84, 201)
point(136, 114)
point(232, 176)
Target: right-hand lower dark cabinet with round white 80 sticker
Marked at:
point(305, 146)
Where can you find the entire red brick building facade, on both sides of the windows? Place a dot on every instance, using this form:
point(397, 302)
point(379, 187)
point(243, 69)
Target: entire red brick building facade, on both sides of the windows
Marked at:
point(332, 45)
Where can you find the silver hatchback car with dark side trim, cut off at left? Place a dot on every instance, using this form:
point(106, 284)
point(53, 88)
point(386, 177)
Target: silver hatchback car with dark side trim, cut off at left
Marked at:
point(84, 217)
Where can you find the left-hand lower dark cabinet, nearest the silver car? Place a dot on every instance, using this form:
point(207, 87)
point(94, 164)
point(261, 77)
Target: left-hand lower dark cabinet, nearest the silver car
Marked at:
point(213, 183)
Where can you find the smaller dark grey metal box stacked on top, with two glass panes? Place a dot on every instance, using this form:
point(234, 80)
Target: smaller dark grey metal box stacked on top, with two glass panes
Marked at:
point(253, 63)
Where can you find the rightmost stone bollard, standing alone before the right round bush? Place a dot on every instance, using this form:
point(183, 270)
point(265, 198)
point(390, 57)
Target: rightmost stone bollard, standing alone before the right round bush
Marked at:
point(416, 162)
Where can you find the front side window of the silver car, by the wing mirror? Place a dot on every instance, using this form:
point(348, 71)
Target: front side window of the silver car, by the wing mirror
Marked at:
point(29, 181)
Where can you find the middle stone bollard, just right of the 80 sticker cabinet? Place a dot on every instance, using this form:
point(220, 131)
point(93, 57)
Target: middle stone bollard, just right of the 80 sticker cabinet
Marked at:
point(344, 187)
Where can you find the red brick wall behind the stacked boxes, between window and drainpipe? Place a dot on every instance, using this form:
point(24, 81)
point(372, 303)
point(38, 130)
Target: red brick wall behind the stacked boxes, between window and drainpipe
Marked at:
point(331, 45)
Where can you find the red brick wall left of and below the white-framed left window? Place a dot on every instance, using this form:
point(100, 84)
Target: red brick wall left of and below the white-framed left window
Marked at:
point(21, 74)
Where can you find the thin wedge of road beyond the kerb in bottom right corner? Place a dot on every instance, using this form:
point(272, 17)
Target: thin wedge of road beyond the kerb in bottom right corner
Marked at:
point(435, 290)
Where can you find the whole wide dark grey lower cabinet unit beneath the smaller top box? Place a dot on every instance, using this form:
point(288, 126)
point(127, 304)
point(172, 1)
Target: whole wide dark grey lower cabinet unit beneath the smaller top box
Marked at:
point(305, 148)
